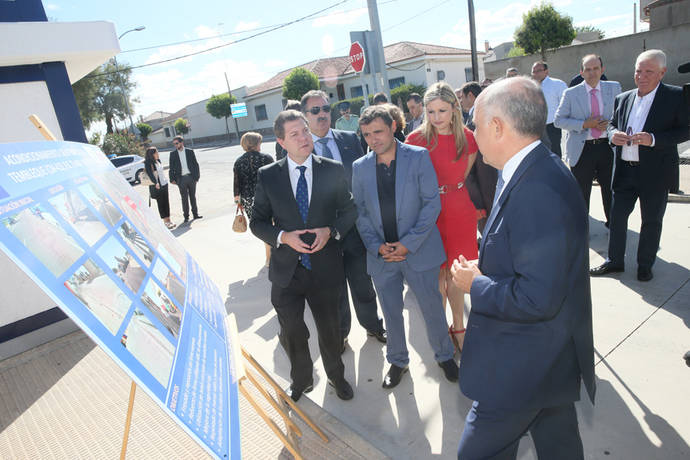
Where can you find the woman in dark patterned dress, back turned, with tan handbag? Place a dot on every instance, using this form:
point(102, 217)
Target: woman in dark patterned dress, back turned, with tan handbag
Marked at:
point(245, 170)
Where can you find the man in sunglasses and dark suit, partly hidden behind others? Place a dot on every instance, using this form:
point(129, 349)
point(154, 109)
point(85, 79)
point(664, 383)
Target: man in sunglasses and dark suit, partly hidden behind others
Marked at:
point(343, 146)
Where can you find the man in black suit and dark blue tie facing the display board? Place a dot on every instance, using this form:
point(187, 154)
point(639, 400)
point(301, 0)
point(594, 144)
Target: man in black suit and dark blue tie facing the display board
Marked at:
point(301, 207)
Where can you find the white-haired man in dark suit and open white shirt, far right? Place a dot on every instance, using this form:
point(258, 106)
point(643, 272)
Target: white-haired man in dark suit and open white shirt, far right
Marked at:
point(648, 124)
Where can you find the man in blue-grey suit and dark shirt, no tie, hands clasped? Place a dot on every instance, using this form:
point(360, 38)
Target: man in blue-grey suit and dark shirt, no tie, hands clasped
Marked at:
point(396, 194)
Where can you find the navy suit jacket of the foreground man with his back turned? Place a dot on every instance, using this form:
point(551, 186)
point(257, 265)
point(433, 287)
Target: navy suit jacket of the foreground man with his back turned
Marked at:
point(529, 333)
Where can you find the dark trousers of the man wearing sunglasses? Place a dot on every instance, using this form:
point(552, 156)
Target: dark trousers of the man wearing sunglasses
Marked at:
point(361, 287)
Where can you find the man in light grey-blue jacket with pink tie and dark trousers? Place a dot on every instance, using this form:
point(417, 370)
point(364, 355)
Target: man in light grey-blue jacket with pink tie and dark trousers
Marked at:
point(584, 113)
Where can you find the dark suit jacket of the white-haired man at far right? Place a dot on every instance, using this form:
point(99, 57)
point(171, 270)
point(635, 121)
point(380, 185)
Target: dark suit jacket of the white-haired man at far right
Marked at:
point(667, 121)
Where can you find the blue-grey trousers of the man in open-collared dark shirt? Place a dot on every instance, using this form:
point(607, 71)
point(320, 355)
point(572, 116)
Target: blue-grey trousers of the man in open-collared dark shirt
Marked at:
point(424, 285)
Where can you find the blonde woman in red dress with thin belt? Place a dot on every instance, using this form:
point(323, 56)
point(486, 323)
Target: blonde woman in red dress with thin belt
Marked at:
point(453, 149)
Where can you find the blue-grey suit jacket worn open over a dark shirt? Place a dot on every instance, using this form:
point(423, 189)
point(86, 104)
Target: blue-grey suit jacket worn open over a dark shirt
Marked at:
point(417, 206)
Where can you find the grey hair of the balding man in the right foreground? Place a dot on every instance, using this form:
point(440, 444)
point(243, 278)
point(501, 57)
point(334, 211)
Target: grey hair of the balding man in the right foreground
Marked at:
point(520, 101)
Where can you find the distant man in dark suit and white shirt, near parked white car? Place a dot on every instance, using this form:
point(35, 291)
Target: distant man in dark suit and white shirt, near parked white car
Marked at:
point(184, 172)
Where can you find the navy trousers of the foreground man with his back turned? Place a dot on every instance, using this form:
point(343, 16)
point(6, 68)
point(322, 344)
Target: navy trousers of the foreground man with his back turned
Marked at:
point(495, 434)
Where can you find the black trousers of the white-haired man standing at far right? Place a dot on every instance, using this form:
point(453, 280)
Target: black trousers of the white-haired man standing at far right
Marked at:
point(630, 184)
